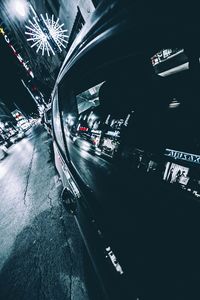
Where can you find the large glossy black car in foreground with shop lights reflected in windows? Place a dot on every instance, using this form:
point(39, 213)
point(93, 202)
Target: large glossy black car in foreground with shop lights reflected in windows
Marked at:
point(122, 134)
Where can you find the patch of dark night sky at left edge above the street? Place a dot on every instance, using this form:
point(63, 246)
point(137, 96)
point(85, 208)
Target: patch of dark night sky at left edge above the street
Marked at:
point(11, 87)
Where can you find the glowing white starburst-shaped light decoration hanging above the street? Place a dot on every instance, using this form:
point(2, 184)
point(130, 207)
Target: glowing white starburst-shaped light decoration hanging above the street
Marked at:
point(46, 34)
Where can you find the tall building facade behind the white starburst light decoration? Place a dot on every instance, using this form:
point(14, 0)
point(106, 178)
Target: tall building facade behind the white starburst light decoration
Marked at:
point(44, 68)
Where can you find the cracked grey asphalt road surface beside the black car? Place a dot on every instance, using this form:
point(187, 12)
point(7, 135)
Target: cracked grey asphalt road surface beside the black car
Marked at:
point(41, 251)
